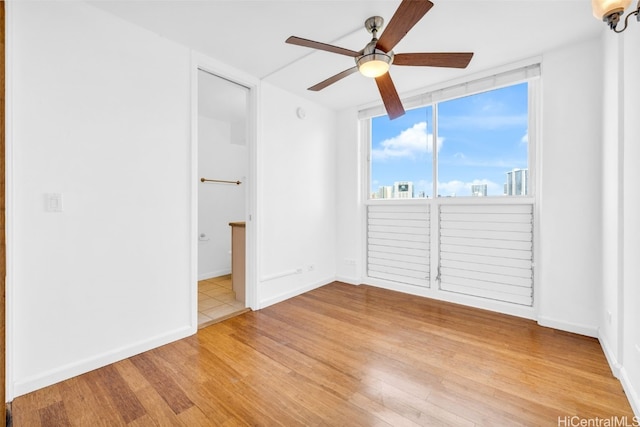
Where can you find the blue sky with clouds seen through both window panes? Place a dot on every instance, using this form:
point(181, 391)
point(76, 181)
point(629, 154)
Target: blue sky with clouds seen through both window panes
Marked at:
point(480, 138)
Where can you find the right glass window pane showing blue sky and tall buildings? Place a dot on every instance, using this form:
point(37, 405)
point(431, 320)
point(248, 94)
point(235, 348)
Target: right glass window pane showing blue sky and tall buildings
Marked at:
point(483, 142)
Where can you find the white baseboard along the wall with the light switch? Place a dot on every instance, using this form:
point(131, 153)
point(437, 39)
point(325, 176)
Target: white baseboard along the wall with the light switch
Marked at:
point(71, 370)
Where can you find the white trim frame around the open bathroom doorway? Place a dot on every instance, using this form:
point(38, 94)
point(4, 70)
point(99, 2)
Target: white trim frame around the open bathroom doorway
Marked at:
point(207, 64)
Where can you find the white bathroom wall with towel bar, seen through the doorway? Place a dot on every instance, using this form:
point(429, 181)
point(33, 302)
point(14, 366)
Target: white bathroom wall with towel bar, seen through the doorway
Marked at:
point(220, 156)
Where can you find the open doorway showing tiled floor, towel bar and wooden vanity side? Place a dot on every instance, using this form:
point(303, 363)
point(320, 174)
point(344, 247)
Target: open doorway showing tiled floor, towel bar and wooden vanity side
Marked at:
point(223, 165)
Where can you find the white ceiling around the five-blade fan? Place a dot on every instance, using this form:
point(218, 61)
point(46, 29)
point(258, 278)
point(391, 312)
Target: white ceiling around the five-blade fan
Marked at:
point(250, 35)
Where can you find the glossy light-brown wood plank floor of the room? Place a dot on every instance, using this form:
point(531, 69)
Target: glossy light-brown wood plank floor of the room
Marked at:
point(346, 355)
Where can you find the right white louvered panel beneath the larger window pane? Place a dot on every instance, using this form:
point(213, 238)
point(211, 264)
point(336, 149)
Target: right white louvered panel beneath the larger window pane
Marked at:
point(487, 251)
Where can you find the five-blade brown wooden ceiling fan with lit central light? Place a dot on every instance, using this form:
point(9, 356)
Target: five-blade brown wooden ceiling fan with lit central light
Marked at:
point(376, 57)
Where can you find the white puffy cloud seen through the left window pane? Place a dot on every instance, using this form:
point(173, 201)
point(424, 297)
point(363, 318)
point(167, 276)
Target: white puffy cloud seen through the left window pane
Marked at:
point(409, 143)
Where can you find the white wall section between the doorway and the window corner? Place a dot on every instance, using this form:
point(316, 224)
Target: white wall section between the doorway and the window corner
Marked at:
point(297, 204)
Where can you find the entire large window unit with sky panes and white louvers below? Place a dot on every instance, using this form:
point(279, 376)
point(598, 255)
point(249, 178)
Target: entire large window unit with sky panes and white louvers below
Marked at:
point(470, 142)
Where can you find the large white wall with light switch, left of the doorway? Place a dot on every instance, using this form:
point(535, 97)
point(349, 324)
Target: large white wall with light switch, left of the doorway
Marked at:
point(98, 111)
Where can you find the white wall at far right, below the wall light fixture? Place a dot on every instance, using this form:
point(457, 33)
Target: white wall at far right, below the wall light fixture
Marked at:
point(620, 331)
